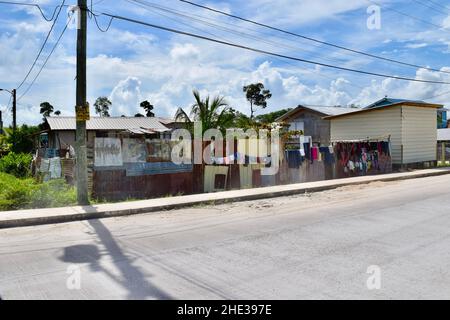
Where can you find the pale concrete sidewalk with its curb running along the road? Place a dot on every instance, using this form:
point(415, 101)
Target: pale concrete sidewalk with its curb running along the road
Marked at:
point(24, 218)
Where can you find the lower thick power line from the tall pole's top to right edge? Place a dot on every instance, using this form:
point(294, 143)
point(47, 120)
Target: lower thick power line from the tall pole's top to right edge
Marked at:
point(268, 52)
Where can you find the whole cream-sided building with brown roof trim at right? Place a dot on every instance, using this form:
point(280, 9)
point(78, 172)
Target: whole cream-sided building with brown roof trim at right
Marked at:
point(410, 125)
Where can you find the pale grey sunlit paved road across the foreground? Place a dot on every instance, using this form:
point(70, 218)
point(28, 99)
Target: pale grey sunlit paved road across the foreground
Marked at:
point(302, 247)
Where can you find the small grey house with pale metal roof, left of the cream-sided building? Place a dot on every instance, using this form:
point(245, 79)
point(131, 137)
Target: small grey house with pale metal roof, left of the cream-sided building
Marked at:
point(309, 119)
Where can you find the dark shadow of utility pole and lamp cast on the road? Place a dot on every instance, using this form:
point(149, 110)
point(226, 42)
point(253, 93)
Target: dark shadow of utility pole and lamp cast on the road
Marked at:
point(130, 278)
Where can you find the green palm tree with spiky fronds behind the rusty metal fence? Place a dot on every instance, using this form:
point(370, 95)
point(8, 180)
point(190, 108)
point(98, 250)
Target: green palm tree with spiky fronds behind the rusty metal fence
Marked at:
point(210, 113)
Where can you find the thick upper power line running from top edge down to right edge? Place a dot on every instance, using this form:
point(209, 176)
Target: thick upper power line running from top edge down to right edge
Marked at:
point(313, 39)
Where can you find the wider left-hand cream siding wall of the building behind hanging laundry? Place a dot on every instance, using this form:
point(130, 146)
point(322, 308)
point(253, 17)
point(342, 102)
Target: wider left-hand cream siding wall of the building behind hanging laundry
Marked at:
point(373, 124)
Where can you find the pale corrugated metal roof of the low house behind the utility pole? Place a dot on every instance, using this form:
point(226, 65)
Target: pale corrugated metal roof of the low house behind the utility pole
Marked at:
point(108, 123)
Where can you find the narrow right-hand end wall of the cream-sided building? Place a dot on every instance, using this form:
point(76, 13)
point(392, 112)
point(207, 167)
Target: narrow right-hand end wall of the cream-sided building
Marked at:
point(419, 134)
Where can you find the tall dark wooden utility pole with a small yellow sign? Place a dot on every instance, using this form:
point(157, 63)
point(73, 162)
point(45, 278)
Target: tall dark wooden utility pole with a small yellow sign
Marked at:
point(82, 109)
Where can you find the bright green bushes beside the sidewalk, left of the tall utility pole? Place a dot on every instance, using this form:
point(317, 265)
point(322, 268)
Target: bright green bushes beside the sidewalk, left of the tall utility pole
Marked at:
point(18, 194)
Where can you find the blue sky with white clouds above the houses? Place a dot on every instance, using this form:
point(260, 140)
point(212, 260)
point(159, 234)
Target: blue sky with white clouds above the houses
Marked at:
point(131, 63)
